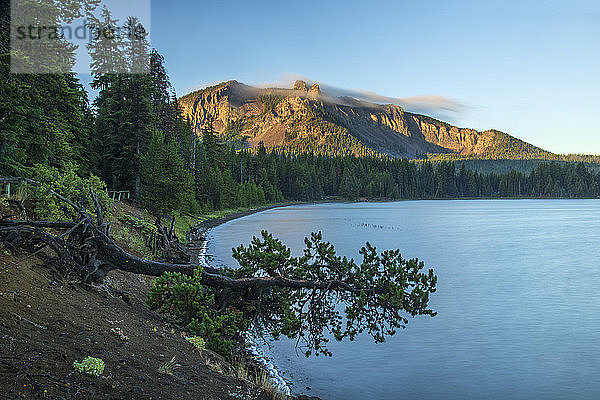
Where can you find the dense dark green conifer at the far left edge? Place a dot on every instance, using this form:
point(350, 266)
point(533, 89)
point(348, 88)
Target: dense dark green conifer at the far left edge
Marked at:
point(42, 116)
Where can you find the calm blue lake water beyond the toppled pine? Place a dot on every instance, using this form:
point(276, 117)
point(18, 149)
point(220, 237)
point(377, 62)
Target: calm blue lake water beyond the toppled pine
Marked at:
point(518, 298)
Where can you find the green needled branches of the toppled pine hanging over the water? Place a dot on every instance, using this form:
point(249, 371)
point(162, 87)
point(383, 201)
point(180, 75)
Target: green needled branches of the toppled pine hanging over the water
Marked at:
point(311, 298)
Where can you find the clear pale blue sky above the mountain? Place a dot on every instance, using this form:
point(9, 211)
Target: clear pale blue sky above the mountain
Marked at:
point(529, 68)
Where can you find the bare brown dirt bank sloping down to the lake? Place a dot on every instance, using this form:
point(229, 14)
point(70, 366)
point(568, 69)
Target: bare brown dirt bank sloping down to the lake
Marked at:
point(46, 325)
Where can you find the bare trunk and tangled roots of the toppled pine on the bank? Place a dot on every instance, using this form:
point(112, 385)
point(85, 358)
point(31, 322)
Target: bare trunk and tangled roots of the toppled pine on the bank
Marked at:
point(89, 252)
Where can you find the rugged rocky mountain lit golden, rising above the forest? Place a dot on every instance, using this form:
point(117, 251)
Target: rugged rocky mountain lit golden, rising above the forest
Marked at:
point(303, 119)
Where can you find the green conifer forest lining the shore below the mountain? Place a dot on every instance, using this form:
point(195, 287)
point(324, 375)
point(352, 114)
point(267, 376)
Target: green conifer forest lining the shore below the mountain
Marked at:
point(143, 144)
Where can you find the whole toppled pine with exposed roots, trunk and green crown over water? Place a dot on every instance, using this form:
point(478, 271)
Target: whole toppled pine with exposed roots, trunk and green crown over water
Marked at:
point(278, 293)
